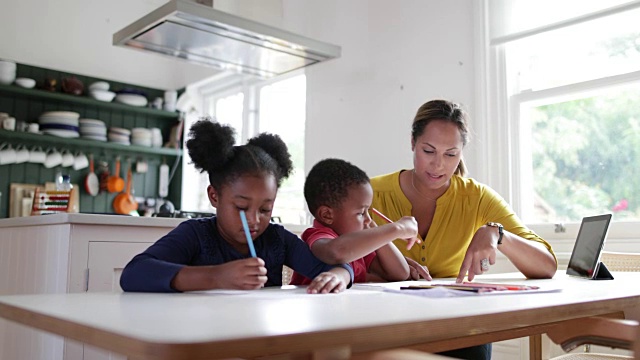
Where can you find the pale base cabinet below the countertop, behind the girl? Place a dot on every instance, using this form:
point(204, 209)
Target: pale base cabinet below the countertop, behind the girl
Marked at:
point(67, 253)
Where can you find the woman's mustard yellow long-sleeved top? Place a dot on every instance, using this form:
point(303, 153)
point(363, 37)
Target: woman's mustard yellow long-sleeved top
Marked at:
point(460, 211)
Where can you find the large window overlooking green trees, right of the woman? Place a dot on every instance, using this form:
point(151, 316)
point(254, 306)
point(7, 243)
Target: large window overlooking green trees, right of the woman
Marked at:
point(571, 90)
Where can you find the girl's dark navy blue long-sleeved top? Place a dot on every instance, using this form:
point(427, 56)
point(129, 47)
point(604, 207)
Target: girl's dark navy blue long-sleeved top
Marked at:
point(197, 242)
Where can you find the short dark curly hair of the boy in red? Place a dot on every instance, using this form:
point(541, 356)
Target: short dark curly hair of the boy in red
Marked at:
point(329, 181)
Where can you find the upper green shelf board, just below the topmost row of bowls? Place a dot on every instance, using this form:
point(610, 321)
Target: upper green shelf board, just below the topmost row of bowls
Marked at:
point(84, 100)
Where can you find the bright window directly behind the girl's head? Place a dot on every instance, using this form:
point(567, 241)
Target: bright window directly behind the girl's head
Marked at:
point(275, 106)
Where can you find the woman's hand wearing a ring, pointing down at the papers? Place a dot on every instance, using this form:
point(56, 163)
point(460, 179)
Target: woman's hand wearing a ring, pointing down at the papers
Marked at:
point(481, 251)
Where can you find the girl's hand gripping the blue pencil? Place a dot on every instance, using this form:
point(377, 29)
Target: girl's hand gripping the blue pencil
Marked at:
point(245, 274)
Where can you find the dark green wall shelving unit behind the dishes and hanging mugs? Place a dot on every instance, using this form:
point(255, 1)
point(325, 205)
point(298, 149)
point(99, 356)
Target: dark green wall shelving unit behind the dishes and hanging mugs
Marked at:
point(27, 105)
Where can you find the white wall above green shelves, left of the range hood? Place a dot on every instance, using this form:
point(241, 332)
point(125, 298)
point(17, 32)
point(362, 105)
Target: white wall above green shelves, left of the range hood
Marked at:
point(76, 36)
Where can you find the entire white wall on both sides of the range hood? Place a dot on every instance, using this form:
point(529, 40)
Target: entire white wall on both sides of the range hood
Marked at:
point(396, 54)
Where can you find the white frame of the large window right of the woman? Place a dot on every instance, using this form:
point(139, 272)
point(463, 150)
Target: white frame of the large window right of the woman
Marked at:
point(498, 124)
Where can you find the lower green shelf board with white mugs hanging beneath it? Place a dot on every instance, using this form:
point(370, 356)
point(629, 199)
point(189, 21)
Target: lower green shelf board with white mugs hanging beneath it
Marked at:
point(50, 140)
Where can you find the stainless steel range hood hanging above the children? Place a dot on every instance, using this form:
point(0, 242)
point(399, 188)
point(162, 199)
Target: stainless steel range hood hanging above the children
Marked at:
point(200, 34)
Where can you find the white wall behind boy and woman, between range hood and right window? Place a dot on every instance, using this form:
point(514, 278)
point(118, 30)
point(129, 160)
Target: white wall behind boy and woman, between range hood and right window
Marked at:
point(395, 56)
